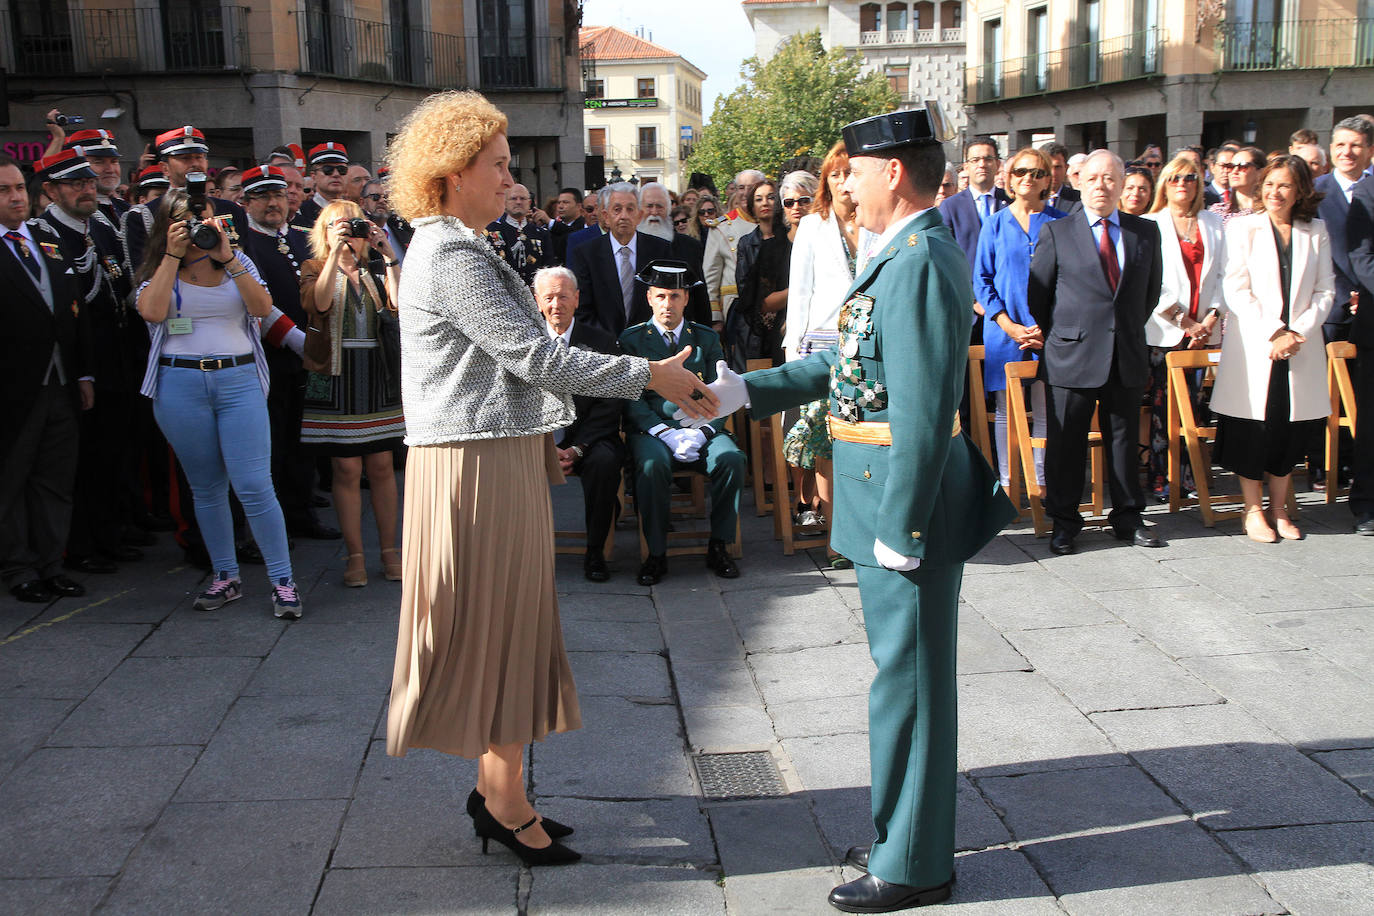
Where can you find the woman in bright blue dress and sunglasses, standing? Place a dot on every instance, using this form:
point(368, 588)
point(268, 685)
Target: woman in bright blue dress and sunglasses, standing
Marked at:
point(1001, 273)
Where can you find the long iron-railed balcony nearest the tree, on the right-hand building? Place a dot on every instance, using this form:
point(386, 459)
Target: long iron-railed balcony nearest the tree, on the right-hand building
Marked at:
point(1130, 57)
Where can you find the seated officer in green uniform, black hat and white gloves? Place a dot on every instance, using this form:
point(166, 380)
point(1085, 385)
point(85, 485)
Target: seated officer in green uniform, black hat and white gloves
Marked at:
point(660, 446)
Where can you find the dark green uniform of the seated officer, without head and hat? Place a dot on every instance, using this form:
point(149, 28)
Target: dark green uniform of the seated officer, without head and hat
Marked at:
point(655, 463)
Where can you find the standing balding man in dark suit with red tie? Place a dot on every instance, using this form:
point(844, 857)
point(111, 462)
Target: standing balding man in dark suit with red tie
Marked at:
point(1094, 282)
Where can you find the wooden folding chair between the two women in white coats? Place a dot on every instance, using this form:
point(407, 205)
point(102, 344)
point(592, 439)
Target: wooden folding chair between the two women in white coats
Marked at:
point(1185, 432)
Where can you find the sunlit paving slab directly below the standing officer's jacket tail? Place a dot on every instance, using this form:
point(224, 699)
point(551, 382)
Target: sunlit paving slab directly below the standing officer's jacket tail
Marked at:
point(1033, 599)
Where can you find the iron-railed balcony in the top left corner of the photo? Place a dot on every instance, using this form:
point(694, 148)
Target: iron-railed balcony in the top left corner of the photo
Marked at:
point(127, 42)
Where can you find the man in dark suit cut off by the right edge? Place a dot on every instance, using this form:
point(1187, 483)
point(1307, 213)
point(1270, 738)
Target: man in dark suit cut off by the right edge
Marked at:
point(1353, 146)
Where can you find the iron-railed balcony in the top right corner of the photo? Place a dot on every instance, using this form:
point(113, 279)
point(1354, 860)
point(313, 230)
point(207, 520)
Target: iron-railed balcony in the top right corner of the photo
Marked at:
point(1306, 45)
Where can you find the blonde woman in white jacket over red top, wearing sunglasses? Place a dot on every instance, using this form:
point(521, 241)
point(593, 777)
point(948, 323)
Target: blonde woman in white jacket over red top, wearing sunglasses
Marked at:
point(1191, 299)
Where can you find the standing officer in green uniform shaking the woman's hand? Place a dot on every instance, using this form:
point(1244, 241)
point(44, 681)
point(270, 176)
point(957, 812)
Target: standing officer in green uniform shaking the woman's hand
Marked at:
point(914, 498)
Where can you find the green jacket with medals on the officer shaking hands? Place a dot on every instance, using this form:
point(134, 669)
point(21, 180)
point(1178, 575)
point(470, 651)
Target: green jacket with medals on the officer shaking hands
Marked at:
point(902, 358)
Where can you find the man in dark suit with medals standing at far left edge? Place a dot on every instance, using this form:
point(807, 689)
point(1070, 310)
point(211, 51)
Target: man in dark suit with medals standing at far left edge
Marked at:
point(45, 384)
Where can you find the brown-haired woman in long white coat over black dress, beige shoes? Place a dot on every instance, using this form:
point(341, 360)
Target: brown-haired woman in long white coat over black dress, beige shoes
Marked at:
point(1272, 382)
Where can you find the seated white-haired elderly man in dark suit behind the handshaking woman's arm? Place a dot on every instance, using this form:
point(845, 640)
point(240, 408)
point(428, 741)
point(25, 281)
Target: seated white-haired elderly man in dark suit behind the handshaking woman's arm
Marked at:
point(592, 447)
